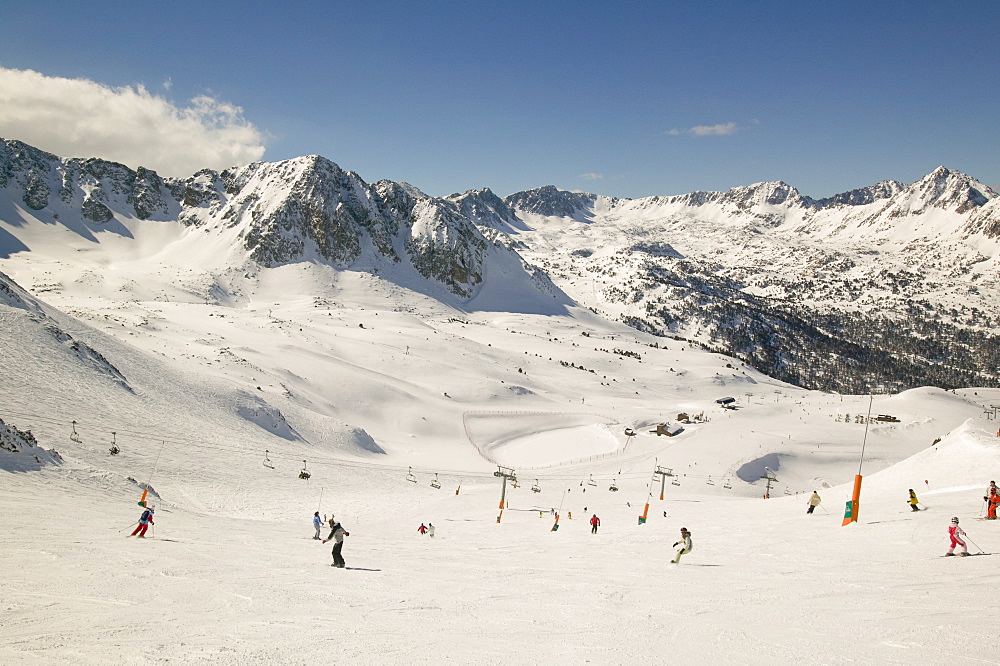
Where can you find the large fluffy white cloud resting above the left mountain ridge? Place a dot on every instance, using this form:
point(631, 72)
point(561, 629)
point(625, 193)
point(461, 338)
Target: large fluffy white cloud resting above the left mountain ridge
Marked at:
point(83, 118)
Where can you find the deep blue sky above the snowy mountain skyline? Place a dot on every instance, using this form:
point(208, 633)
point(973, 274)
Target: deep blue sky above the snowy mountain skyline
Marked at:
point(626, 99)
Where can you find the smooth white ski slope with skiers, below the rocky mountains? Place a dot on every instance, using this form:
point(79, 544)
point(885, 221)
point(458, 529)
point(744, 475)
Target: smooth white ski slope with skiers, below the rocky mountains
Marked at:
point(221, 376)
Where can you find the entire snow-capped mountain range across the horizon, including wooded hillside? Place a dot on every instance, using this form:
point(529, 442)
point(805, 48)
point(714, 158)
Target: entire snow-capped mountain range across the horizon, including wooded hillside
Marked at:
point(885, 287)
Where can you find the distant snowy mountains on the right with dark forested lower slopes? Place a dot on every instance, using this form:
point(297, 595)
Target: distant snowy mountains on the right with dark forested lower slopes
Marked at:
point(888, 286)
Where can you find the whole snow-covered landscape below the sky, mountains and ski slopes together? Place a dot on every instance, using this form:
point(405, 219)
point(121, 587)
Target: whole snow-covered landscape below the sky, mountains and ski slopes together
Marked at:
point(283, 338)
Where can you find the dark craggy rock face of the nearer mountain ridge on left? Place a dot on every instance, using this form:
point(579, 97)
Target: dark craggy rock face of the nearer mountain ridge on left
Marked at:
point(300, 209)
